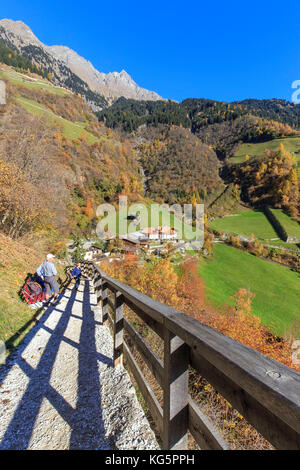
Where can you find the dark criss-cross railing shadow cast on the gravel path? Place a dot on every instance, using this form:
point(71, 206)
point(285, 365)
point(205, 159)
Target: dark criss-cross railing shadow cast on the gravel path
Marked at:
point(85, 421)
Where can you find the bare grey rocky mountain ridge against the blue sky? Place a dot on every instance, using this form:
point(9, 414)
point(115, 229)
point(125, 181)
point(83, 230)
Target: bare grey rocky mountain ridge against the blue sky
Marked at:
point(67, 67)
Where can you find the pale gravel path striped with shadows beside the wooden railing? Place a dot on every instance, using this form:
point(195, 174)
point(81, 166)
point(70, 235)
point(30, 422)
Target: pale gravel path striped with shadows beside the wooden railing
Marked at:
point(60, 391)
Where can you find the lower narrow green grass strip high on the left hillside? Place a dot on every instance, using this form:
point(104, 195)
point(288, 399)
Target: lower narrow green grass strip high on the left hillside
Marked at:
point(71, 130)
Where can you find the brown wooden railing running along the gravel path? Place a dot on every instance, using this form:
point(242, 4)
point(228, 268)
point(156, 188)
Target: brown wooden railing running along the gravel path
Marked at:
point(264, 391)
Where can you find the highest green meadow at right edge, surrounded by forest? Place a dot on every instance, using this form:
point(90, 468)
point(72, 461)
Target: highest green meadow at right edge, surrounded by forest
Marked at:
point(292, 144)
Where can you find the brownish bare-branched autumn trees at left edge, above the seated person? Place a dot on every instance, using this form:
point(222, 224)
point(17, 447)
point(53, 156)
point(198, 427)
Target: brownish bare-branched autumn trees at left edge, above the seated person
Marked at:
point(31, 184)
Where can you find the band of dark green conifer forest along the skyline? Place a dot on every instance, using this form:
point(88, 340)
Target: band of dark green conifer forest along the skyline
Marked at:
point(195, 113)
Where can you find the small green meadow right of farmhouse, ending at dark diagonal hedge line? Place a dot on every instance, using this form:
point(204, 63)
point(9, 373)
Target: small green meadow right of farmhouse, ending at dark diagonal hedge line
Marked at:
point(246, 223)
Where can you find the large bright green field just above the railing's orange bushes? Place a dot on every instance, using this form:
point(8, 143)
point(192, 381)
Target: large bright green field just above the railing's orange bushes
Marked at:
point(276, 288)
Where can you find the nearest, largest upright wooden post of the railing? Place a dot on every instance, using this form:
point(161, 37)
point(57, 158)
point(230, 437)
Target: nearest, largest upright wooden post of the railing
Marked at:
point(175, 410)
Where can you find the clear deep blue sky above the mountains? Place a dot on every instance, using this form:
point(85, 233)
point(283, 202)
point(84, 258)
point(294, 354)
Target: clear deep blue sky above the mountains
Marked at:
point(224, 50)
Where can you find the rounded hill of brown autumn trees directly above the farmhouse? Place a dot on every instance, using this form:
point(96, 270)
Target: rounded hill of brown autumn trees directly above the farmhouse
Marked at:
point(179, 168)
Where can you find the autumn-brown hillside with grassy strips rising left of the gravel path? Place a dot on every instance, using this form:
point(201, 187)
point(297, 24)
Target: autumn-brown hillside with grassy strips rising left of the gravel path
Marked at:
point(64, 163)
